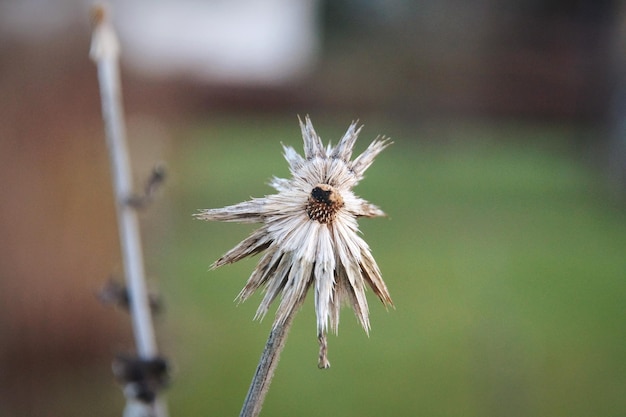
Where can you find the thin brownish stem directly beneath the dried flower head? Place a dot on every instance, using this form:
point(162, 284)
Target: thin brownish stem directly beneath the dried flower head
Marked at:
point(265, 369)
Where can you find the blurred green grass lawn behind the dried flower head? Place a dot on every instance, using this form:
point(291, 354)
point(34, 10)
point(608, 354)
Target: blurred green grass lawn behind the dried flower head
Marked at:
point(504, 257)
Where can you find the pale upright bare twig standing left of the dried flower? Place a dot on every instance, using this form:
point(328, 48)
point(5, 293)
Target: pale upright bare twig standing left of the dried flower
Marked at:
point(105, 52)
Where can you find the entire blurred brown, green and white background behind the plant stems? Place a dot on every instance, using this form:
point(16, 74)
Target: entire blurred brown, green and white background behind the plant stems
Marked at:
point(505, 245)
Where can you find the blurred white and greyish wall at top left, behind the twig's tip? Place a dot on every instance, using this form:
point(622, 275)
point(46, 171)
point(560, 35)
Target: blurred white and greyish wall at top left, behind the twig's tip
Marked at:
point(250, 42)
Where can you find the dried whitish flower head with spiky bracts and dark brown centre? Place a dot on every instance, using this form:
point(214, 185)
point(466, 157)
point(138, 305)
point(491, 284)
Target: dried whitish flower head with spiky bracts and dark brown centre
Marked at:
point(310, 233)
